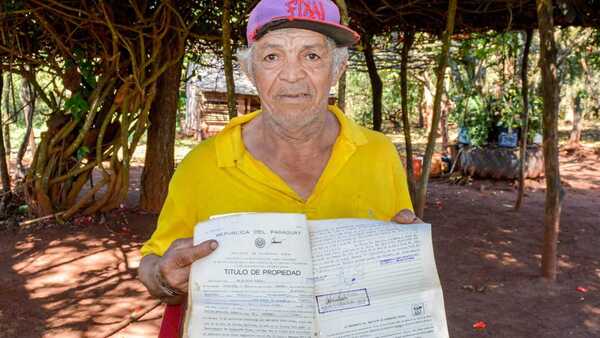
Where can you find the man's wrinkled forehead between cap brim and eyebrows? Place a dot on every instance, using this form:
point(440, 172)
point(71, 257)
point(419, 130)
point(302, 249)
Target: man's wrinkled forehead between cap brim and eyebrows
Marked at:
point(292, 38)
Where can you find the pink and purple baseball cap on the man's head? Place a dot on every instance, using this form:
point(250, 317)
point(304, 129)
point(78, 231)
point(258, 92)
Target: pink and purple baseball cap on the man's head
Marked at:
point(321, 16)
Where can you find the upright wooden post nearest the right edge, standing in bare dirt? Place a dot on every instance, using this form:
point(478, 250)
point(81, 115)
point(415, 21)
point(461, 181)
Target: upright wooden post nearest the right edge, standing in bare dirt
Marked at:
point(551, 92)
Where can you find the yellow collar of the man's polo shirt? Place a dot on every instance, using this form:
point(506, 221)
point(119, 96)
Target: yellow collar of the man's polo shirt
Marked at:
point(230, 145)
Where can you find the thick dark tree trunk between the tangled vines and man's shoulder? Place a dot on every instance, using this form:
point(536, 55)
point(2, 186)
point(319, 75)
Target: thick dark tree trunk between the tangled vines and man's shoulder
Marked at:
point(159, 163)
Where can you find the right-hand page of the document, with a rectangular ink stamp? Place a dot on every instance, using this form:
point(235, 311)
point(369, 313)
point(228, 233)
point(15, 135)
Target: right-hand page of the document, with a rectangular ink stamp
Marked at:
point(376, 279)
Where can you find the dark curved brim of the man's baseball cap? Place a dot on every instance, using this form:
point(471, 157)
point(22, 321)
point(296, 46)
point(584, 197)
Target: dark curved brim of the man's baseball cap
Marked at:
point(342, 35)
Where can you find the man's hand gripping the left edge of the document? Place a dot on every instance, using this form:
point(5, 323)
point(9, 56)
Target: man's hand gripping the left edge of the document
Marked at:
point(167, 277)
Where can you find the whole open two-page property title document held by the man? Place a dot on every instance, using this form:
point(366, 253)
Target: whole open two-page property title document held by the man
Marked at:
point(279, 275)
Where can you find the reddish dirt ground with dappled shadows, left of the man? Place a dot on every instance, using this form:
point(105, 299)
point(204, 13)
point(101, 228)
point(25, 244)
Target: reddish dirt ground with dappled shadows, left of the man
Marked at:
point(76, 279)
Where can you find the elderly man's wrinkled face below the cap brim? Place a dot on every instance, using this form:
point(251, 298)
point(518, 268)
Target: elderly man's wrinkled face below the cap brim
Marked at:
point(293, 75)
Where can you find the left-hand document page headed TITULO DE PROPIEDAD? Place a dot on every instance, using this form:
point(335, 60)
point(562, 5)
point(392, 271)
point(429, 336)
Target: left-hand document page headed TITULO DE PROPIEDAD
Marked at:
point(258, 283)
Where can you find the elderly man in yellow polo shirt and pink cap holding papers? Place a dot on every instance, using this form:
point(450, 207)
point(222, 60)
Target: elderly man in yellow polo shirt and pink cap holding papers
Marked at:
point(296, 155)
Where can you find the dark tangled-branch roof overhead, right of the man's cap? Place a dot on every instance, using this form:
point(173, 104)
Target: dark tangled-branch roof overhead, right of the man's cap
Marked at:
point(379, 16)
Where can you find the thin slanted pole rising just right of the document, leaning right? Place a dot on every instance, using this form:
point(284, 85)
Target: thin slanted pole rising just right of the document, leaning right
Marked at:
point(435, 121)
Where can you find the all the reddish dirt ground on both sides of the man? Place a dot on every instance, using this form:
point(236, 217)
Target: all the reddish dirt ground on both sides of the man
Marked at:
point(79, 279)
